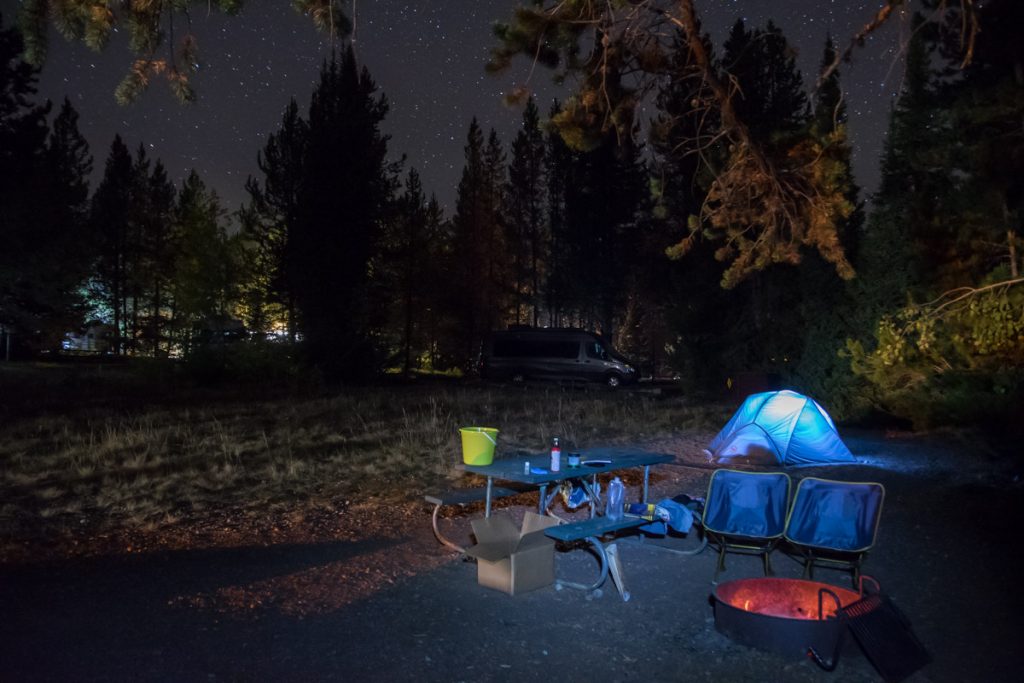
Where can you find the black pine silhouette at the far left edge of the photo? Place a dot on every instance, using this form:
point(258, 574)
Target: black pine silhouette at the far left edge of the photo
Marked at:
point(42, 191)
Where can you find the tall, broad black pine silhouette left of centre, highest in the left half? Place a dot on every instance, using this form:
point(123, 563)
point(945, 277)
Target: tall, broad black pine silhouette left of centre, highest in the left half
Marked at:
point(345, 195)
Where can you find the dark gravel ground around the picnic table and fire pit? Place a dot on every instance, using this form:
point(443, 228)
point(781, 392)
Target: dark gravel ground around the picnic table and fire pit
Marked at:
point(363, 591)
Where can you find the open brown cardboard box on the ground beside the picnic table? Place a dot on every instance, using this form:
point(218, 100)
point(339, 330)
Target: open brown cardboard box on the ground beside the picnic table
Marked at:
point(515, 561)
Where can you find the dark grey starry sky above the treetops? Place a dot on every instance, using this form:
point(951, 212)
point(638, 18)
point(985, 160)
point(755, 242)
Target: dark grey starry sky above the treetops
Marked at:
point(426, 57)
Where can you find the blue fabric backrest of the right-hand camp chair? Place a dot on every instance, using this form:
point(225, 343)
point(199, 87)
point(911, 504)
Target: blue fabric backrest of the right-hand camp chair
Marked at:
point(835, 516)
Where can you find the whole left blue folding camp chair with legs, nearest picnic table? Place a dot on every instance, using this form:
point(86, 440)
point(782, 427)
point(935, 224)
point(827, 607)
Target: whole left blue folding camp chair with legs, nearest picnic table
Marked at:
point(746, 514)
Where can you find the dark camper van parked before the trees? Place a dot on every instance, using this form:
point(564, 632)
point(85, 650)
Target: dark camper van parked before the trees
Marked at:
point(523, 354)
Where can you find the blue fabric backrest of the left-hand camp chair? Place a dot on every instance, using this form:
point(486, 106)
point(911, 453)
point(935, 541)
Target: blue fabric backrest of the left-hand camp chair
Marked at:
point(748, 504)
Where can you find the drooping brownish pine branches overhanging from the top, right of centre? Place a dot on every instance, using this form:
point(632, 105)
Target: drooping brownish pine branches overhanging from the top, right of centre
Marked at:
point(767, 201)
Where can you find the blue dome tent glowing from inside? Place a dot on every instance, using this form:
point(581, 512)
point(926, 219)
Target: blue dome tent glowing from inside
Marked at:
point(781, 428)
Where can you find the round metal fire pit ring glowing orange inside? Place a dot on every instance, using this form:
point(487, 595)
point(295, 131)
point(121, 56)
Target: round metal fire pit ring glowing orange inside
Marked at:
point(784, 616)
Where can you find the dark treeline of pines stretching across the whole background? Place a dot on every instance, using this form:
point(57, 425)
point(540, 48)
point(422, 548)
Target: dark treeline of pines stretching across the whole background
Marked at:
point(915, 308)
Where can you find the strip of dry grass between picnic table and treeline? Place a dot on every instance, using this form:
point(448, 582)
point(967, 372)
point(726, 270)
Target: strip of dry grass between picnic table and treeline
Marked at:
point(157, 463)
